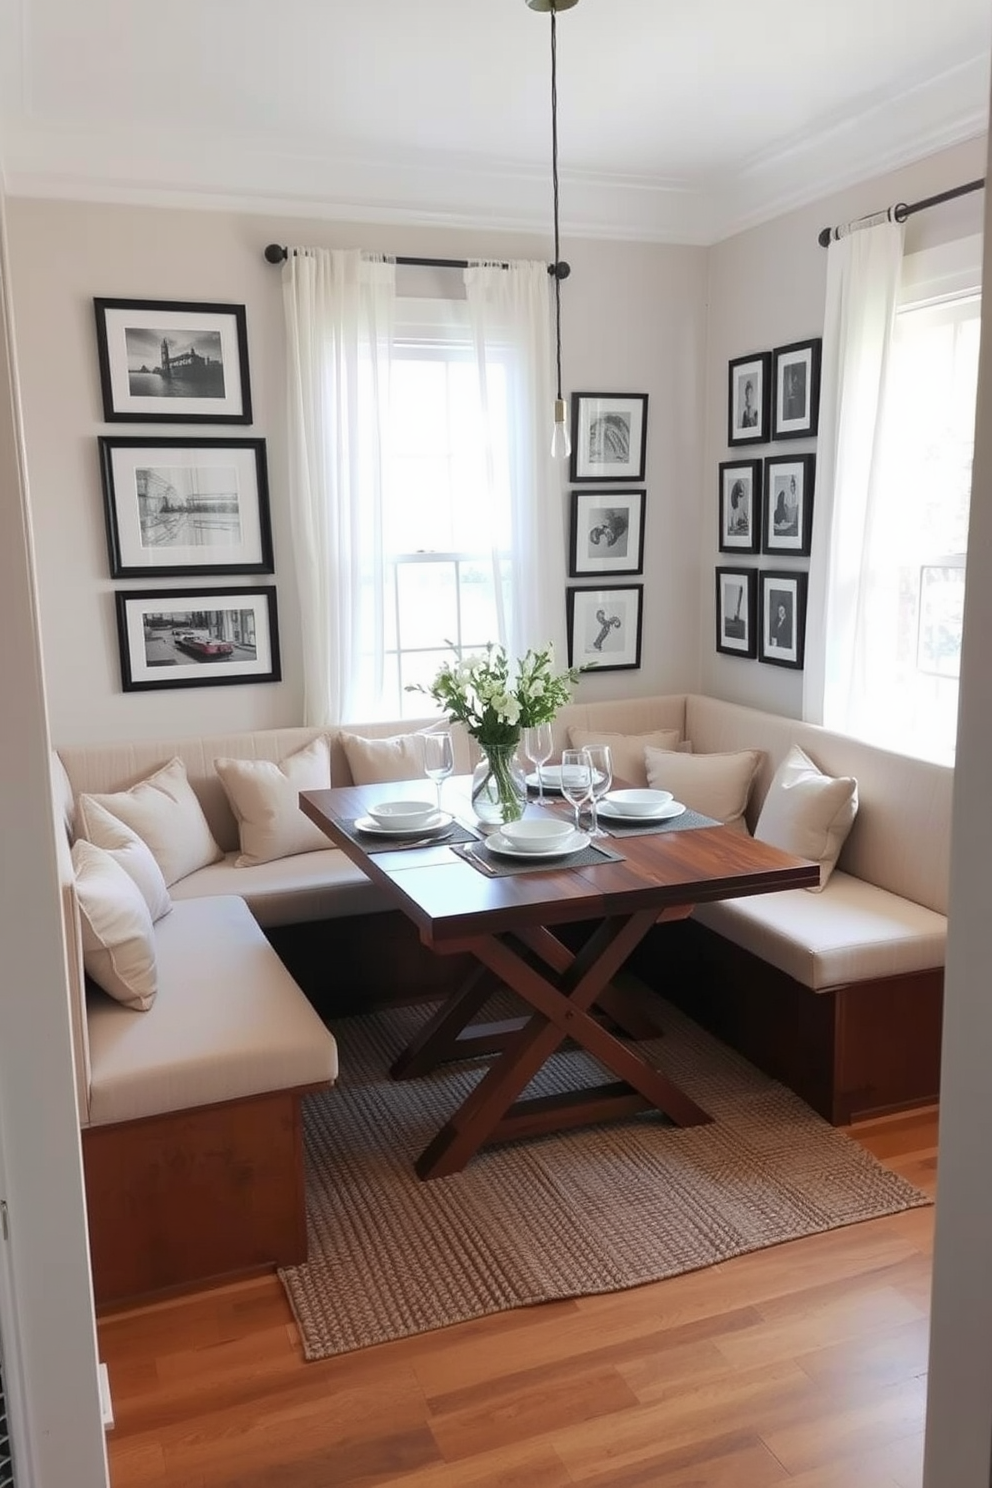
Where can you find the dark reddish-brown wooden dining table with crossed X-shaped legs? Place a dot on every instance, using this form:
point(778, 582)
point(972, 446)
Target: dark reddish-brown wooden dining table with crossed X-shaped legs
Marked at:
point(515, 928)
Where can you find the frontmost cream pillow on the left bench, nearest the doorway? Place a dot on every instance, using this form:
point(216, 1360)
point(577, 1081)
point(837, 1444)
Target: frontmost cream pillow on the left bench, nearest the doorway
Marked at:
point(117, 929)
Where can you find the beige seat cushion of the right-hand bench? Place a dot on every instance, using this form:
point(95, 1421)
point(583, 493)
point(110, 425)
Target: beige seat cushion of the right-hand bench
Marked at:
point(851, 932)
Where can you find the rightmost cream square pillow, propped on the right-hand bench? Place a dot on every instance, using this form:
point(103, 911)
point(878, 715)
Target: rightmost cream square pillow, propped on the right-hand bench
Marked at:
point(808, 813)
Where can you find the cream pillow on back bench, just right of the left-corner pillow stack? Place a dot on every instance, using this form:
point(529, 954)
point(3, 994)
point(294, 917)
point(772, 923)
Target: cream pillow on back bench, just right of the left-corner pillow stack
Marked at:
point(264, 798)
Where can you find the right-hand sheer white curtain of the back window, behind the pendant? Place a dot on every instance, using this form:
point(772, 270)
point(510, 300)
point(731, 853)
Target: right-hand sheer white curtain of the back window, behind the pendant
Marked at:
point(509, 312)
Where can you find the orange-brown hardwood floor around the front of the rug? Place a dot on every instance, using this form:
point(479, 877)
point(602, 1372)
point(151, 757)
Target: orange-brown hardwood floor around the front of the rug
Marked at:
point(802, 1365)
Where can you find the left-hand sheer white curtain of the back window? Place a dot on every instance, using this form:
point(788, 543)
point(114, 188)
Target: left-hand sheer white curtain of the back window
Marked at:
point(340, 309)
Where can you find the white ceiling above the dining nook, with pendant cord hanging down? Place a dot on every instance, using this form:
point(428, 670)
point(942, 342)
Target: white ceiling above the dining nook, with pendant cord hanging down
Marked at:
point(677, 121)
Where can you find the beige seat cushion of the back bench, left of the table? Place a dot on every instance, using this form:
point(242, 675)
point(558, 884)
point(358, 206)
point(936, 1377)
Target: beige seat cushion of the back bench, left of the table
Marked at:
point(289, 891)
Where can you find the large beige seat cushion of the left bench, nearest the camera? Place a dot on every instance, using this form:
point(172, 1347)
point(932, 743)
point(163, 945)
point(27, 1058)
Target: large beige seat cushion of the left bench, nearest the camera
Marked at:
point(230, 1022)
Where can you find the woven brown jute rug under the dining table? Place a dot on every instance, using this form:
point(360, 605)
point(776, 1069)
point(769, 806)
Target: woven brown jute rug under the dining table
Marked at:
point(594, 1210)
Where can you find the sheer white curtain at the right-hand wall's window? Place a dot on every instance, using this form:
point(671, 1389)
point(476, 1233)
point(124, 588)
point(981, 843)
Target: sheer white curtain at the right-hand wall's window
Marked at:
point(850, 536)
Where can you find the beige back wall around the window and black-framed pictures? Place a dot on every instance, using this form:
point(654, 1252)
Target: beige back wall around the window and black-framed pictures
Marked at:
point(633, 319)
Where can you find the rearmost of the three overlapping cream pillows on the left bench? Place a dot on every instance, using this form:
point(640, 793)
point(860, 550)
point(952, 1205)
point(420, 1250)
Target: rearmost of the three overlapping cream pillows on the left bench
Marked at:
point(166, 815)
